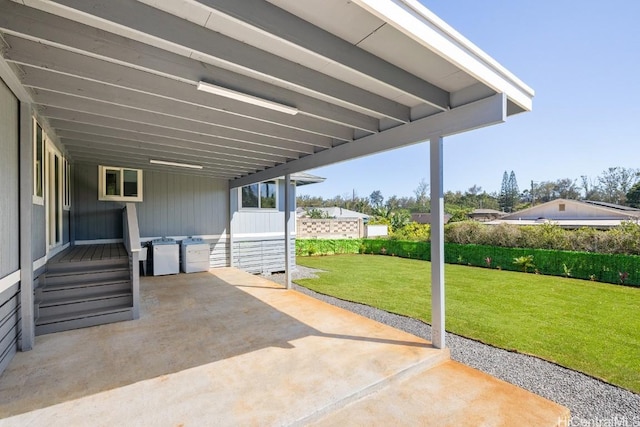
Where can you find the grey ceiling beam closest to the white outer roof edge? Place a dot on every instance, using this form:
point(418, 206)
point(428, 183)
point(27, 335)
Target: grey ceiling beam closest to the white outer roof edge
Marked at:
point(283, 25)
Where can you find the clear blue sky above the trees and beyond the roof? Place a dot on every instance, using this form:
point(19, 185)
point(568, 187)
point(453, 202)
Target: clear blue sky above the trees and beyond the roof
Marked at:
point(582, 59)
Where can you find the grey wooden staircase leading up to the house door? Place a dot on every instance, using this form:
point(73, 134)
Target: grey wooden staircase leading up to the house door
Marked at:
point(82, 287)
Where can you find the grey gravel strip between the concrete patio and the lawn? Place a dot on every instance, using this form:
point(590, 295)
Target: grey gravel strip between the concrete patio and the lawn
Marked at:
point(592, 402)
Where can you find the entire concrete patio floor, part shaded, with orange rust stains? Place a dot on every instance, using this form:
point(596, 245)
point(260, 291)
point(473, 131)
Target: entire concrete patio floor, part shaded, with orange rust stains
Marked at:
point(229, 348)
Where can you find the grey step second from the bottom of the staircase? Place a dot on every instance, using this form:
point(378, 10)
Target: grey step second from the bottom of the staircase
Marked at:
point(83, 304)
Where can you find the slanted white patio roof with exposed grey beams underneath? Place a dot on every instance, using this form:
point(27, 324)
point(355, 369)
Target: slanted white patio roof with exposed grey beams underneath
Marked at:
point(116, 82)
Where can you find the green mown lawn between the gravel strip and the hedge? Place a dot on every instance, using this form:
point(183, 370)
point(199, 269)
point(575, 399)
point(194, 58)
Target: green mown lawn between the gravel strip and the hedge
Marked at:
point(586, 326)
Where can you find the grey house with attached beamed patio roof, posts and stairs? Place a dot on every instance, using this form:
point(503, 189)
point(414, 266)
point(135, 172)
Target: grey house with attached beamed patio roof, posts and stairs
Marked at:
point(193, 116)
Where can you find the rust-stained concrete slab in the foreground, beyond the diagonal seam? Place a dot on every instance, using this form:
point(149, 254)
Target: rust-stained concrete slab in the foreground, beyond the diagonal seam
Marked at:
point(450, 394)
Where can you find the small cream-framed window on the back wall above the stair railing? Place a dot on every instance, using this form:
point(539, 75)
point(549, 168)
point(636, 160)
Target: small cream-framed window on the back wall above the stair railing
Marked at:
point(120, 184)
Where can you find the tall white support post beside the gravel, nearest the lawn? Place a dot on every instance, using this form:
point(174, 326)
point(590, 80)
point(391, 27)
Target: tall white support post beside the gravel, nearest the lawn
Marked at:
point(437, 244)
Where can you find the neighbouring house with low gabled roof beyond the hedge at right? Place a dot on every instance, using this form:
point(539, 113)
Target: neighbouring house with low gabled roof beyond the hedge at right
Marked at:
point(573, 214)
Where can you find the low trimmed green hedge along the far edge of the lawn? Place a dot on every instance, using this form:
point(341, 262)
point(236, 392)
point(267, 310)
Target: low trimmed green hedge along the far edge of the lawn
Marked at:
point(608, 268)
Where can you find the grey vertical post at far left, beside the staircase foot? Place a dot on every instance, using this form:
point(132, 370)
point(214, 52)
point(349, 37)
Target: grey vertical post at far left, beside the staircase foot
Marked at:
point(26, 212)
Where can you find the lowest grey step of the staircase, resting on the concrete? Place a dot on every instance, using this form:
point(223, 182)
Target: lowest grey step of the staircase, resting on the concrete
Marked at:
point(59, 323)
